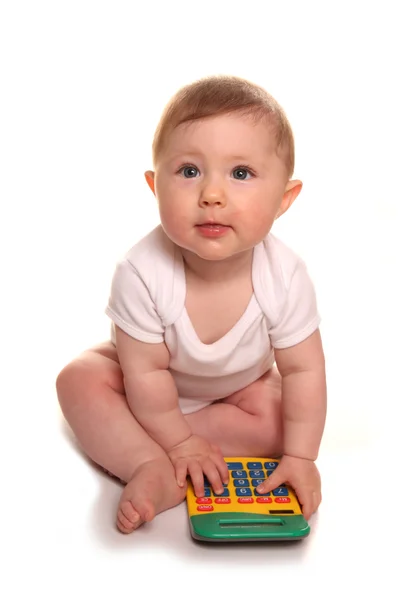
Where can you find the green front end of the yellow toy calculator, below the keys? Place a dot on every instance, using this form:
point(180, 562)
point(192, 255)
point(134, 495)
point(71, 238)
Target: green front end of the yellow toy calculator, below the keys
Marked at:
point(238, 527)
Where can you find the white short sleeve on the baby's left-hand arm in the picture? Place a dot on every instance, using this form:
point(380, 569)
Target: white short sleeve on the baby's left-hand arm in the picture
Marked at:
point(131, 307)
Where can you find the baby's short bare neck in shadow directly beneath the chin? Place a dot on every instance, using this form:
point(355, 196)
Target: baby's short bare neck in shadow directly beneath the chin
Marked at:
point(217, 271)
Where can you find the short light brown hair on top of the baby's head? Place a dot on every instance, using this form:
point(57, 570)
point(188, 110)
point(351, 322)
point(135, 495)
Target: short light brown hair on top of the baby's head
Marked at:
point(223, 94)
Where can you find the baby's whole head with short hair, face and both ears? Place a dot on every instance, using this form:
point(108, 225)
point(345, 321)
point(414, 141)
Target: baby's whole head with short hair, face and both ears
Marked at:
point(223, 156)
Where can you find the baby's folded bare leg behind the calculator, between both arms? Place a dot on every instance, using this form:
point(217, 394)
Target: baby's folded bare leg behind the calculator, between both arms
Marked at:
point(247, 423)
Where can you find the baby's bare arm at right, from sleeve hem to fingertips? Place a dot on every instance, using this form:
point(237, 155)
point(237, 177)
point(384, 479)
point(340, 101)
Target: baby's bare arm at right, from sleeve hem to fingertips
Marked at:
point(304, 398)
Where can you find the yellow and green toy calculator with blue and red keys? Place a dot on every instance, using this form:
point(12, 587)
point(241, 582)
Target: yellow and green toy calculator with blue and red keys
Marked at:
point(241, 513)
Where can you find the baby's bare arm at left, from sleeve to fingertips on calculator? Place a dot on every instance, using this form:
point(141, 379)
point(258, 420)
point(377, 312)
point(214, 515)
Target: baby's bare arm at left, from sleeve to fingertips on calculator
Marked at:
point(152, 397)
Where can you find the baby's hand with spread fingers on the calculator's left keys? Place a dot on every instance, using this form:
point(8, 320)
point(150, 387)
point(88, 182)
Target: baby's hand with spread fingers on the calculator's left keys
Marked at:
point(198, 458)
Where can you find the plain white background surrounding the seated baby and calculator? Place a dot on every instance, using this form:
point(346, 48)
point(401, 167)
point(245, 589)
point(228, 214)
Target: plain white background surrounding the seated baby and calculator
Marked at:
point(82, 88)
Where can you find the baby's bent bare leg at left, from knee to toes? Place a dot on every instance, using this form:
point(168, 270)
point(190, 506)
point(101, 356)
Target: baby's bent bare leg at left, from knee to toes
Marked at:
point(92, 398)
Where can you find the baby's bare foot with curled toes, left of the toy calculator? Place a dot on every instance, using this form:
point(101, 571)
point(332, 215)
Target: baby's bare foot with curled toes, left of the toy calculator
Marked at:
point(152, 489)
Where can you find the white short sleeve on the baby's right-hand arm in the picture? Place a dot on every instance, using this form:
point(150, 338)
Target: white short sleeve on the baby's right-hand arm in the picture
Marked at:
point(299, 316)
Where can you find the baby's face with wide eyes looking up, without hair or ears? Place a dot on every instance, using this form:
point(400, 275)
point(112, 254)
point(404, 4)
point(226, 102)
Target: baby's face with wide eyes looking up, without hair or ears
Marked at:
point(219, 184)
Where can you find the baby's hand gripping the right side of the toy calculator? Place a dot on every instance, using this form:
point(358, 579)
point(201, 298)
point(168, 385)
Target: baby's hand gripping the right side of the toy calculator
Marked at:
point(304, 478)
